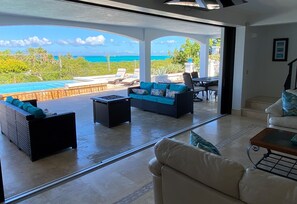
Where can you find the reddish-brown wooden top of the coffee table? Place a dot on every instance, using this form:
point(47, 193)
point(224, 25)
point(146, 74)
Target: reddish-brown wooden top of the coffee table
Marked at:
point(275, 139)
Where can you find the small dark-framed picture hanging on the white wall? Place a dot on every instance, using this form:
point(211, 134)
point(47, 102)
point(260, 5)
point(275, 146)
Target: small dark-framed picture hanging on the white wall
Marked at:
point(280, 49)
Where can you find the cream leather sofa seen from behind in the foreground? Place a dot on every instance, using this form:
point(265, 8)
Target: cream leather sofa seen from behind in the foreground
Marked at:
point(186, 174)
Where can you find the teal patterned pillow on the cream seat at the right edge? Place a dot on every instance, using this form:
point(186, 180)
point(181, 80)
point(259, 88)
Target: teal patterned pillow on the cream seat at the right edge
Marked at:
point(289, 102)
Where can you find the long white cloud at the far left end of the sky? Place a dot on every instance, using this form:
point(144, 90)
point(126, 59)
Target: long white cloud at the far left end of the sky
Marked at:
point(31, 41)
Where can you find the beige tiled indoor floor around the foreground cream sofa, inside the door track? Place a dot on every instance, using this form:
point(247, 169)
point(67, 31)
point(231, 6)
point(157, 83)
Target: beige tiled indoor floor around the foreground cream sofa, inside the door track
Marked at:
point(126, 180)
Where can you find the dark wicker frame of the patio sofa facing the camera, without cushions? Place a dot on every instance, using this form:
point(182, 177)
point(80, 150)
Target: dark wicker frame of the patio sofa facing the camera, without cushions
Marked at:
point(183, 103)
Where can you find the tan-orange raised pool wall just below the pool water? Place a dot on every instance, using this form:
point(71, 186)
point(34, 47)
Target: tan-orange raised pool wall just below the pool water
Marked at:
point(51, 94)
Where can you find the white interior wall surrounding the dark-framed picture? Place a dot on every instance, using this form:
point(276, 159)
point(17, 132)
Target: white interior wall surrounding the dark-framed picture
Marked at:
point(262, 76)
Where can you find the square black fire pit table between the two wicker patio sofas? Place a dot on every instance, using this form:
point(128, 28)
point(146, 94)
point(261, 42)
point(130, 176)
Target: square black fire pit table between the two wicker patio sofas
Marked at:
point(111, 110)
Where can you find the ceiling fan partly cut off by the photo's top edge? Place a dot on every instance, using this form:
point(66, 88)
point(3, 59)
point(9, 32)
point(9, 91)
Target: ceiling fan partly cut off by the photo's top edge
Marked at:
point(206, 4)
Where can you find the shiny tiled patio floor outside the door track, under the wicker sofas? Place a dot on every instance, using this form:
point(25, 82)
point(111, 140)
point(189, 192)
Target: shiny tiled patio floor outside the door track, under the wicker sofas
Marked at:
point(96, 143)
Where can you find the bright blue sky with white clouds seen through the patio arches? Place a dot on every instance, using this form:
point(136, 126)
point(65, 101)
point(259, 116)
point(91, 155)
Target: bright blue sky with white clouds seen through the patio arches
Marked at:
point(59, 40)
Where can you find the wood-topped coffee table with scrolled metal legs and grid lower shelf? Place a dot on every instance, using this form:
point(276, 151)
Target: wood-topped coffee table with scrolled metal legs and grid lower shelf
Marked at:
point(280, 158)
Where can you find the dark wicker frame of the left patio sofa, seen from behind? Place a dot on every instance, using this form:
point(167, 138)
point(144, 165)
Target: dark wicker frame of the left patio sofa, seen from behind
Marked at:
point(37, 137)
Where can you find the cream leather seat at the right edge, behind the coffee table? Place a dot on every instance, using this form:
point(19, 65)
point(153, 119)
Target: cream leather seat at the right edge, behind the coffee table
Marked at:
point(275, 118)
